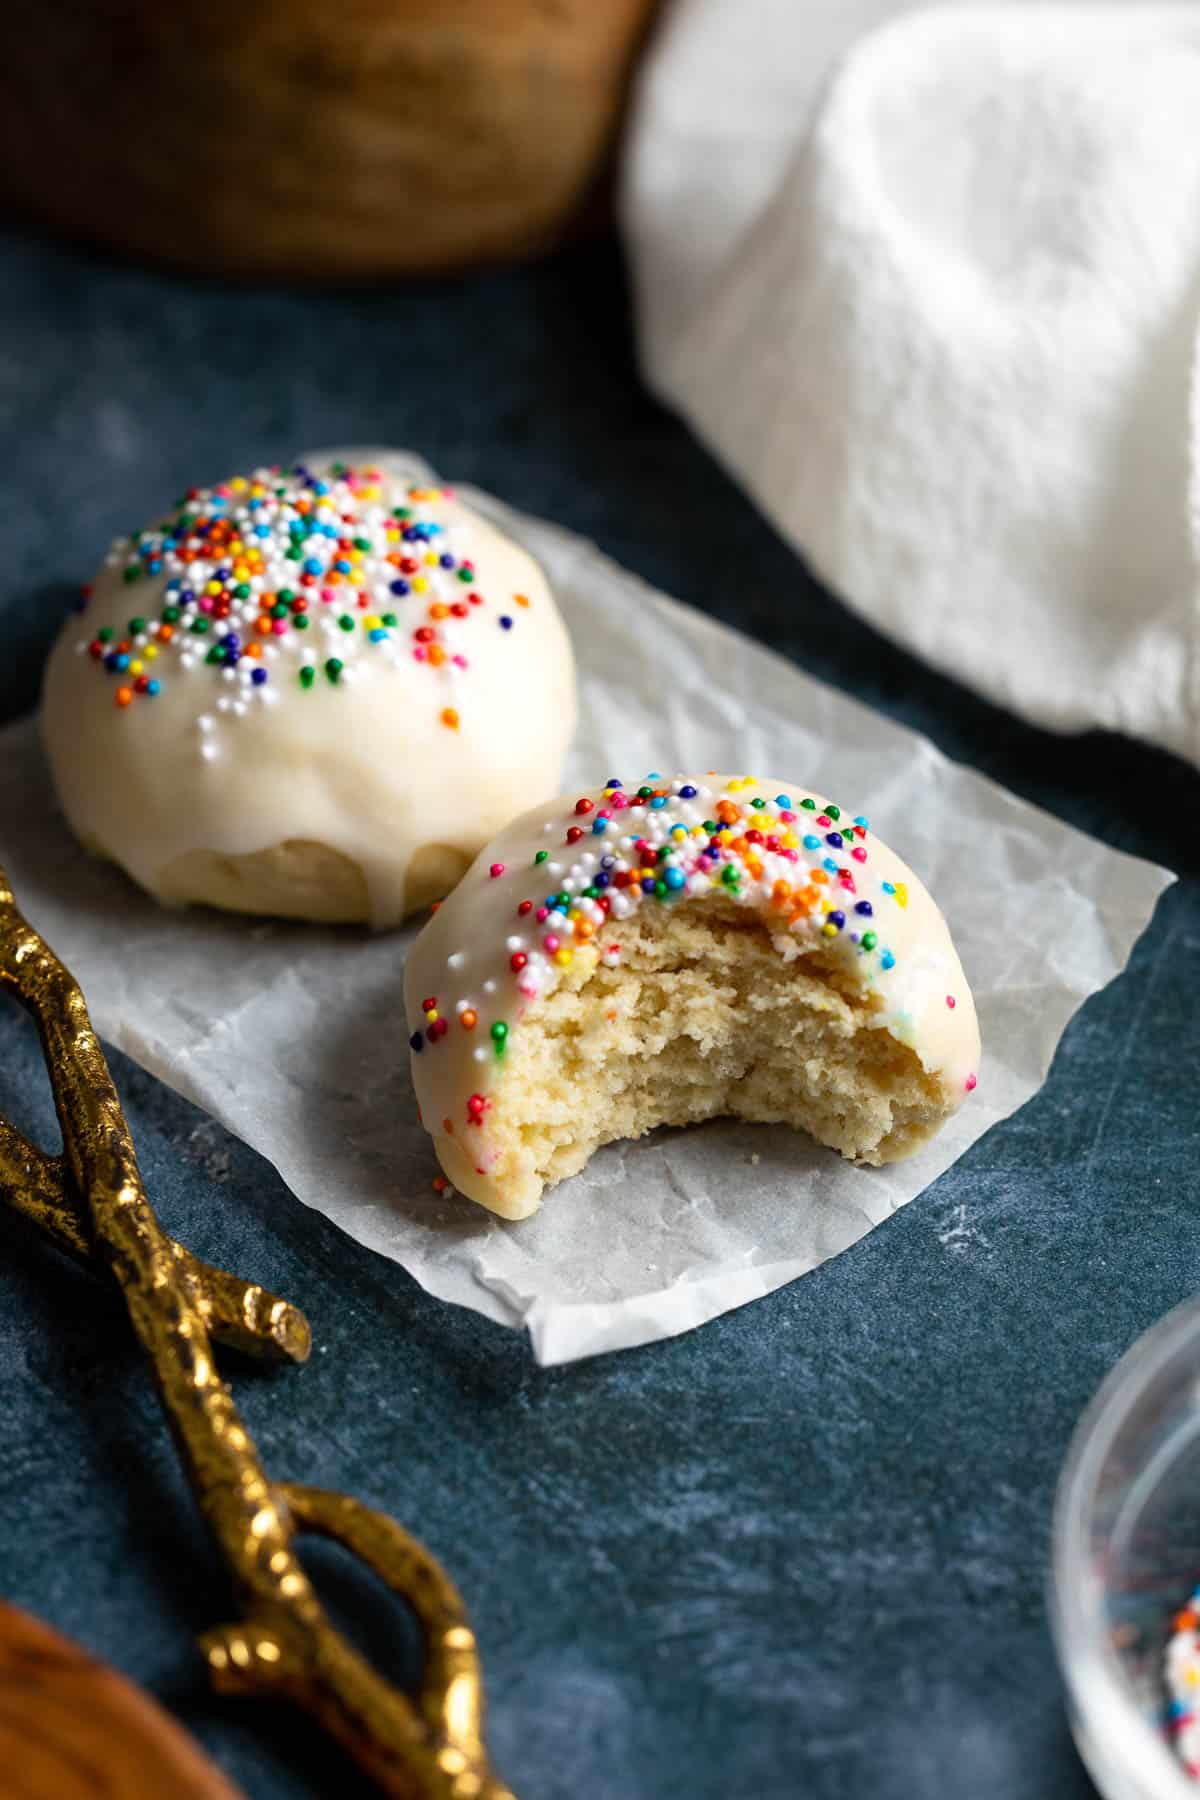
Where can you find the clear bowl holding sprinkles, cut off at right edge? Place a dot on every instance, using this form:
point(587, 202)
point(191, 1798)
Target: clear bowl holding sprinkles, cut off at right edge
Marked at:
point(1127, 1558)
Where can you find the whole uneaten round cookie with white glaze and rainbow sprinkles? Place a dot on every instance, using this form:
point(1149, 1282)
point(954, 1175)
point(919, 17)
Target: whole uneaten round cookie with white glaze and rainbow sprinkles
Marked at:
point(310, 692)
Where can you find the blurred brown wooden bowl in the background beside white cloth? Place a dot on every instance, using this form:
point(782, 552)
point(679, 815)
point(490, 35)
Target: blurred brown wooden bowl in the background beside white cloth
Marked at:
point(312, 139)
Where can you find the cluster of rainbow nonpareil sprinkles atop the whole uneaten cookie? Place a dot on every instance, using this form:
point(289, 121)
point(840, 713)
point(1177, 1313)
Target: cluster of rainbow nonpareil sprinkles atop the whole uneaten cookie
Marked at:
point(300, 577)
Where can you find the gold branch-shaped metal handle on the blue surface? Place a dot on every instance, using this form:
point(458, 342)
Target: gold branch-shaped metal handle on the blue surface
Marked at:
point(93, 1201)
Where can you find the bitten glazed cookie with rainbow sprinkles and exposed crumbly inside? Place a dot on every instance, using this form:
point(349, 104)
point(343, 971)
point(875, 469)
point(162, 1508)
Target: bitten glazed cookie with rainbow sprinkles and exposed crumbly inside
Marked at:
point(676, 951)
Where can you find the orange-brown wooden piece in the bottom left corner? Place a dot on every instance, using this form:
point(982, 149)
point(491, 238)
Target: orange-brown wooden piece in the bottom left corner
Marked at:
point(75, 1731)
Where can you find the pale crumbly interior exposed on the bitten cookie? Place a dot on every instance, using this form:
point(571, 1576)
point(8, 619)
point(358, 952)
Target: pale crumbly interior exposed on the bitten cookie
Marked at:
point(704, 1016)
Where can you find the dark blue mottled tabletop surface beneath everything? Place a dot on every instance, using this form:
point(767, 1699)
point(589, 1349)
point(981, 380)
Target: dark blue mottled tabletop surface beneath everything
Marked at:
point(800, 1552)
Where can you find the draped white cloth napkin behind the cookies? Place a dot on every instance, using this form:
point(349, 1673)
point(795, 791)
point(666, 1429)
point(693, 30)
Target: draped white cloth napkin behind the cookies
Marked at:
point(936, 307)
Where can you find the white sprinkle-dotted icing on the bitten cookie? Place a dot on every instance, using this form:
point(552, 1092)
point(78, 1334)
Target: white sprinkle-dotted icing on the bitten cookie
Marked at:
point(461, 978)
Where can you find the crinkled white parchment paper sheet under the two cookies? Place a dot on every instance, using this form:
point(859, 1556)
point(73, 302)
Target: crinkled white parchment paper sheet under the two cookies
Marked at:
point(294, 1036)
